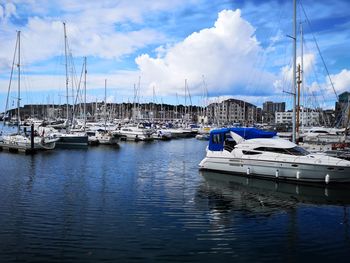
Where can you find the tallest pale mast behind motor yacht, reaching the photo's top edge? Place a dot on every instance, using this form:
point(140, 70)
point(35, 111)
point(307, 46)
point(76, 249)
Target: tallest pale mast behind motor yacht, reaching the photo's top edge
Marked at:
point(294, 69)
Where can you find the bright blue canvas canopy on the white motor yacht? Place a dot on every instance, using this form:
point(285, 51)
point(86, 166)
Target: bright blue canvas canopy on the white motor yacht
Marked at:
point(218, 136)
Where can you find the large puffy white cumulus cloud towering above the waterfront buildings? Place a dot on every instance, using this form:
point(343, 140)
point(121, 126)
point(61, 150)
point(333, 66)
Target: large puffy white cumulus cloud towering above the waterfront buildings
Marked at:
point(225, 54)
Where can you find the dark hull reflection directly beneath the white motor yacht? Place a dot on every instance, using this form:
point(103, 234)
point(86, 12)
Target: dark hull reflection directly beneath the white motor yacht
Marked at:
point(280, 191)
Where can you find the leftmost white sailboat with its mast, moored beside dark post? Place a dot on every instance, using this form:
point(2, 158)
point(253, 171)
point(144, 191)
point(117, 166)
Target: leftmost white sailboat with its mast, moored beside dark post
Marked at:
point(22, 141)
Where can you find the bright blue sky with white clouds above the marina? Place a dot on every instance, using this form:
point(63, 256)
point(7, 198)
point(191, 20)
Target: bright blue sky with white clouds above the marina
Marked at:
point(161, 51)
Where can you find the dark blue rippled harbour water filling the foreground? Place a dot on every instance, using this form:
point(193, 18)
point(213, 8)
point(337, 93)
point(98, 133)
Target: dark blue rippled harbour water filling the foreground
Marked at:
point(147, 202)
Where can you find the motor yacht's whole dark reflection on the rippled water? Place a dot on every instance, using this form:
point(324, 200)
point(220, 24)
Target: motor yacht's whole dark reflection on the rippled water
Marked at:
point(266, 195)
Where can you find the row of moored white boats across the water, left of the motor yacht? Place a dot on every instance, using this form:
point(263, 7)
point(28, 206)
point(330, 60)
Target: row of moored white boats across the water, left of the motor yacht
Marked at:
point(41, 135)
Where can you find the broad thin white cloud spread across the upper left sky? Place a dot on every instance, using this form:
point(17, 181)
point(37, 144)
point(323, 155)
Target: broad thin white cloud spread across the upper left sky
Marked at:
point(93, 29)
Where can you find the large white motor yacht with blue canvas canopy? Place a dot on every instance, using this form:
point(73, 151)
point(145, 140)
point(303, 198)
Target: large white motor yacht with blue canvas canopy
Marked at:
point(233, 152)
